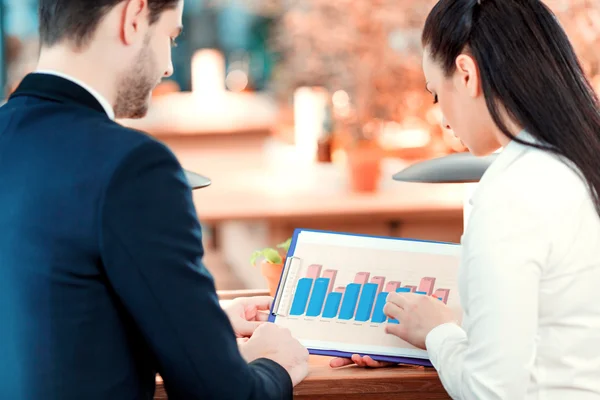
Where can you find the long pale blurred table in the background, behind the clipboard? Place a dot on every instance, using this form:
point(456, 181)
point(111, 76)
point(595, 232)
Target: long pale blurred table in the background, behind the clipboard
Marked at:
point(272, 186)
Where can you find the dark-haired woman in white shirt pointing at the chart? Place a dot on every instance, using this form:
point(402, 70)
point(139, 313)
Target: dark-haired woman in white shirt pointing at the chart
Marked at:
point(505, 75)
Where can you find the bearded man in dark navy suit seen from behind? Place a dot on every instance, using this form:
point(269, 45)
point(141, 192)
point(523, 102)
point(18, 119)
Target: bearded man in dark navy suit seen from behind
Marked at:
point(101, 279)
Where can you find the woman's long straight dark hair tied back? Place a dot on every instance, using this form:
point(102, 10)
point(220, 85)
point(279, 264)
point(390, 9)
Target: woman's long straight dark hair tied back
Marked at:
point(528, 66)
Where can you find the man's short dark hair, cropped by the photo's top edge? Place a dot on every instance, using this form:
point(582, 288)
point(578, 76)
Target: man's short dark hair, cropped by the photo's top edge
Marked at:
point(77, 20)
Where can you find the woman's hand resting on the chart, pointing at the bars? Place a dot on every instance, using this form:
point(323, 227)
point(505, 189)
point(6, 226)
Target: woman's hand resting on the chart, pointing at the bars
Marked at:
point(418, 315)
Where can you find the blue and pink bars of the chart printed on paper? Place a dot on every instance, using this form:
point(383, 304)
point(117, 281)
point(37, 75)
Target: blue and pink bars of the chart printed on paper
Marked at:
point(360, 301)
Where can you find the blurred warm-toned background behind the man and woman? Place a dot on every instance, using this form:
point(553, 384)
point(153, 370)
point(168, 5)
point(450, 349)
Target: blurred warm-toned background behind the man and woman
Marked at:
point(300, 111)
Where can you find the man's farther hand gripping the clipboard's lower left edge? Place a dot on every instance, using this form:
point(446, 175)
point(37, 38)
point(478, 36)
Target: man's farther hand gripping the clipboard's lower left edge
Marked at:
point(248, 313)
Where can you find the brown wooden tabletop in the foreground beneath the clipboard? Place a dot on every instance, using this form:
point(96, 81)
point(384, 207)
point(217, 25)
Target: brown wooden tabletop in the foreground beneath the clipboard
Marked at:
point(348, 383)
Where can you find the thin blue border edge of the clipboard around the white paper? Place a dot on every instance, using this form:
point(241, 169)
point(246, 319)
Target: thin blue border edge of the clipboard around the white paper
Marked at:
point(337, 353)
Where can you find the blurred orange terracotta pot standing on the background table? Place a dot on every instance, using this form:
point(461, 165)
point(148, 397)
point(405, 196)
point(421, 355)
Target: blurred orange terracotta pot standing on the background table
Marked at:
point(364, 167)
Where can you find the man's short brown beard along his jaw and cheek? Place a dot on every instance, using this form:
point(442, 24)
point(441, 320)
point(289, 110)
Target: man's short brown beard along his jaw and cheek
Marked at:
point(135, 85)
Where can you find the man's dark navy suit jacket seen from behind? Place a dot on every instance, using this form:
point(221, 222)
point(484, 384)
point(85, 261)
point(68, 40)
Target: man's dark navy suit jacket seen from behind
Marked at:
point(101, 276)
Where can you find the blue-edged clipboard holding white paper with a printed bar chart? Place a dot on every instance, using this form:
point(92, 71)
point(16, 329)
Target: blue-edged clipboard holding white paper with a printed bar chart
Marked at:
point(334, 284)
